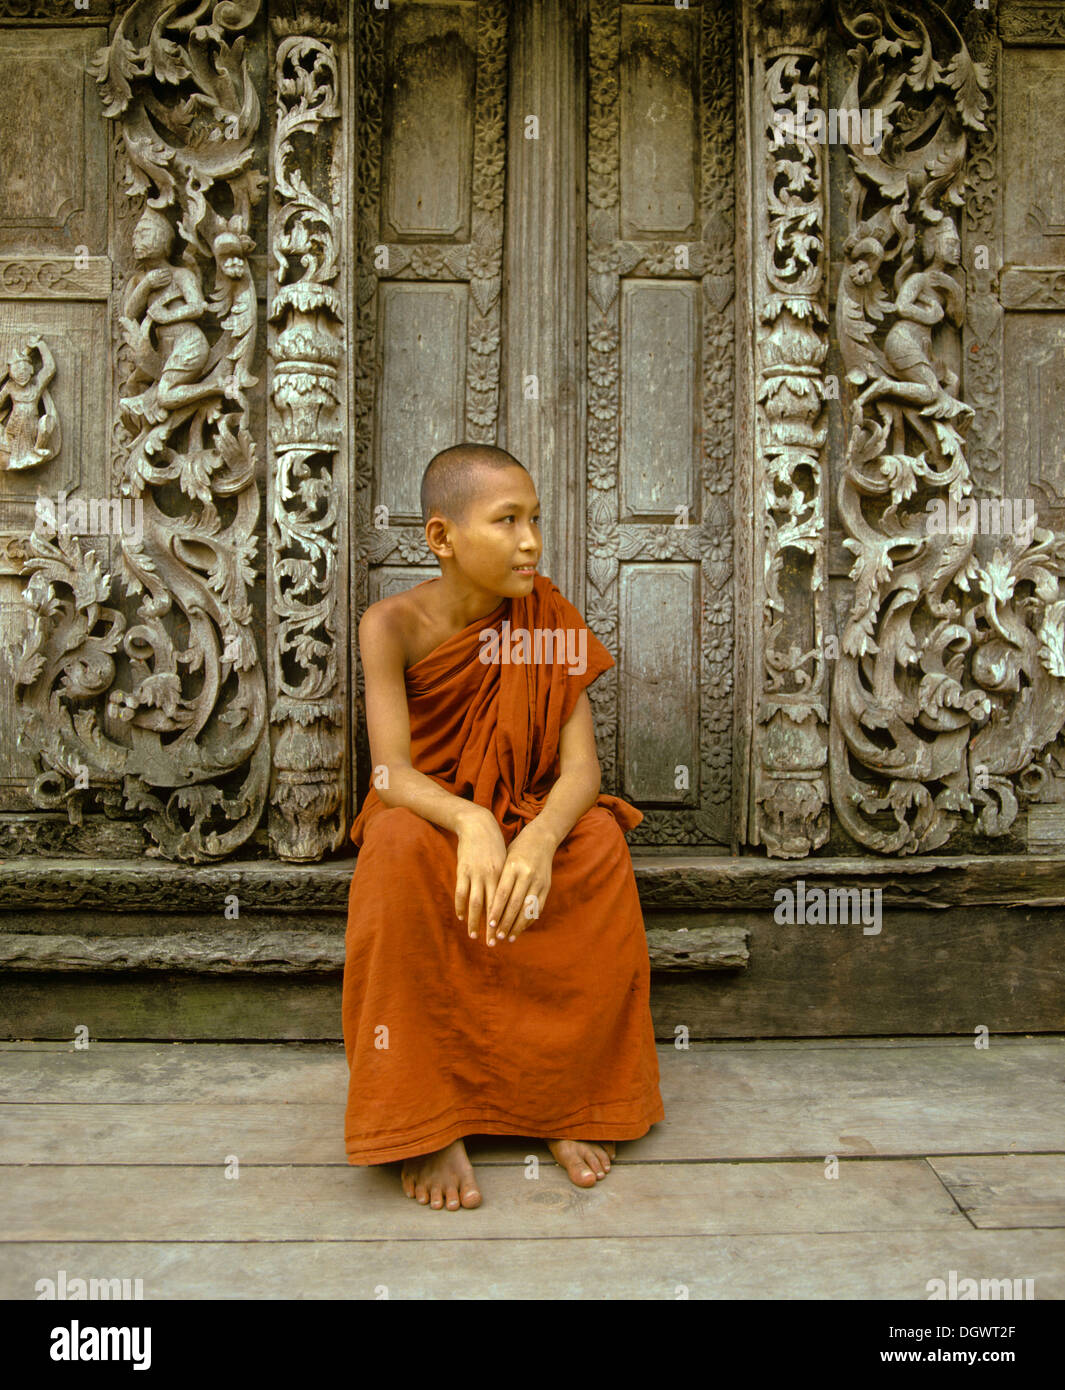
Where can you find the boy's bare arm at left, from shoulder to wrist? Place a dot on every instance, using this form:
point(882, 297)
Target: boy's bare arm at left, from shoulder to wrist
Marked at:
point(389, 728)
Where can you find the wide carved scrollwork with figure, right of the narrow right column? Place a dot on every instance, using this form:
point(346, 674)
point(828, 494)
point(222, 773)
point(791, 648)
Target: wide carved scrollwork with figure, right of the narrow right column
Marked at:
point(952, 673)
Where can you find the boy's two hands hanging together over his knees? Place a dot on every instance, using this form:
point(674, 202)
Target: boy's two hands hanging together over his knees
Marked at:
point(498, 882)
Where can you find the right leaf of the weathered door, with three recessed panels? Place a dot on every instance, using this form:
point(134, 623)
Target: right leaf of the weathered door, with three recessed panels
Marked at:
point(660, 418)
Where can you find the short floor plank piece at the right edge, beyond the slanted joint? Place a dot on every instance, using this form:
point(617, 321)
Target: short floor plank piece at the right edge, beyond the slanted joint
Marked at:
point(1010, 1192)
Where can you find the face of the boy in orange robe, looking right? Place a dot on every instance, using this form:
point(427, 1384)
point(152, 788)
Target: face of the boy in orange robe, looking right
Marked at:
point(501, 534)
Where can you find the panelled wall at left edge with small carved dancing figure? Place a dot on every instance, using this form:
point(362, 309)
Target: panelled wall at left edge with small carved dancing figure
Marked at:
point(55, 281)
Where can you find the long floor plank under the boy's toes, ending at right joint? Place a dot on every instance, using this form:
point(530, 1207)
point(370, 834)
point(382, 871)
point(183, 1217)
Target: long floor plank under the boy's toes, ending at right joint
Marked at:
point(333, 1204)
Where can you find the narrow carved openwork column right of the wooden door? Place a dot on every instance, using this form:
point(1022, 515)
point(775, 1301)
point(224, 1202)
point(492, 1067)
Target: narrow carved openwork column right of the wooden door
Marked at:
point(789, 799)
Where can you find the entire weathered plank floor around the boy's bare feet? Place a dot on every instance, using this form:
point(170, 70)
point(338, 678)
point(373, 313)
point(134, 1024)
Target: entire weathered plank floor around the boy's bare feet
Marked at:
point(682, 1224)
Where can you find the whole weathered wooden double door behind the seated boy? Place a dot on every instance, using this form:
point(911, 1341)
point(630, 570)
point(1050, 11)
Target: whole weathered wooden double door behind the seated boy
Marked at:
point(546, 262)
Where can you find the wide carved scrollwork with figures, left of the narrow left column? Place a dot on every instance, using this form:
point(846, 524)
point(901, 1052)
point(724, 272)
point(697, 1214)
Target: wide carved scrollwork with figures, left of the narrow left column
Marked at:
point(163, 711)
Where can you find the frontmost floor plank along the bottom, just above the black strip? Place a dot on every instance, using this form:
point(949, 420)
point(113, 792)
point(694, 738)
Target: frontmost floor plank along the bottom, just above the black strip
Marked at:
point(825, 1267)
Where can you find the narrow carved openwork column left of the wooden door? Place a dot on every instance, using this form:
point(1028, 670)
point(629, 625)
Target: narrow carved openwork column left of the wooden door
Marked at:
point(308, 496)
